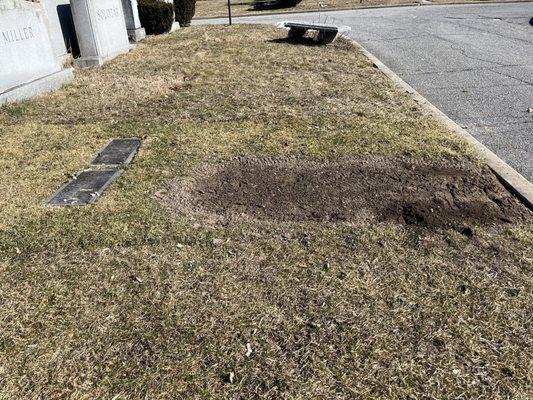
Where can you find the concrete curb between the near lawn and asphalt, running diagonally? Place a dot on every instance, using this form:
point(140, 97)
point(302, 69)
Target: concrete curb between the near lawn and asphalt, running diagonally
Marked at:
point(510, 178)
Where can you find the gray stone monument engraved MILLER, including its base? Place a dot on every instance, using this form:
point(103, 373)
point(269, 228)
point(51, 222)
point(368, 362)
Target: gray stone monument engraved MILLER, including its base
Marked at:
point(28, 65)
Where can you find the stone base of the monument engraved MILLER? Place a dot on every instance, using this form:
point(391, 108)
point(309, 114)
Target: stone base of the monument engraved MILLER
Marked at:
point(45, 84)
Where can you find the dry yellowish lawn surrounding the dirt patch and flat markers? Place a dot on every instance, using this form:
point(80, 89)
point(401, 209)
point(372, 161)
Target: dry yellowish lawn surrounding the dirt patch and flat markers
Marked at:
point(129, 299)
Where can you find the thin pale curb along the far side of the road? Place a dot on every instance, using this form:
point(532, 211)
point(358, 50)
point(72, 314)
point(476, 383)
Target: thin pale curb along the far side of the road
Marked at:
point(370, 7)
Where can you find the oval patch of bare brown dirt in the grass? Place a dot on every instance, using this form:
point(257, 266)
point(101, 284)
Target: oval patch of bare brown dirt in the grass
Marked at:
point(355, 191)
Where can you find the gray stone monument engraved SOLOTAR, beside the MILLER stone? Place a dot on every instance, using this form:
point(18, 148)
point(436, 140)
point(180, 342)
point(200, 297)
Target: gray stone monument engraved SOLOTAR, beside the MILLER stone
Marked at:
point(101, 31)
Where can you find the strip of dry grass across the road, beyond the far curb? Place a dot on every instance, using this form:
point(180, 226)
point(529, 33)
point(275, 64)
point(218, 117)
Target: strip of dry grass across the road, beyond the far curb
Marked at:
point(219, 8)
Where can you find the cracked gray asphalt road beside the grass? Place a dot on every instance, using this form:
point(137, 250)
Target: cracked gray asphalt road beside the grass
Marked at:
point(474, 62)
